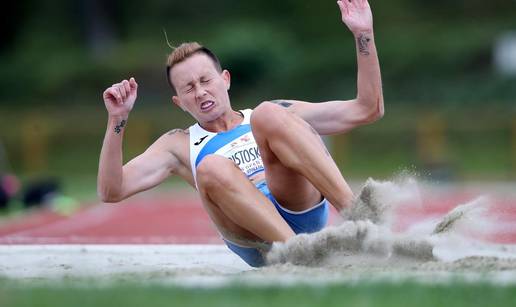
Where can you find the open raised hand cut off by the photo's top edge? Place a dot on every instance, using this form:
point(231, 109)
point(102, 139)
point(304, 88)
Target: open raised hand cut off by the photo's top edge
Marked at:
point(356, 14)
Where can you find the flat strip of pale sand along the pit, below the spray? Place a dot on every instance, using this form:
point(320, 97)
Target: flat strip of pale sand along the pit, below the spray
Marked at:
point(214, 265)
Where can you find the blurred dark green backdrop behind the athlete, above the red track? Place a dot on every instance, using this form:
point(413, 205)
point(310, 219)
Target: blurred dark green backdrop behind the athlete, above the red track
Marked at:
point(448, 67)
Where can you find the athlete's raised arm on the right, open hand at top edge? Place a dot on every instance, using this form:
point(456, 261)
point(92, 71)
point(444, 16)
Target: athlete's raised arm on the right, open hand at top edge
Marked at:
point(339, 116)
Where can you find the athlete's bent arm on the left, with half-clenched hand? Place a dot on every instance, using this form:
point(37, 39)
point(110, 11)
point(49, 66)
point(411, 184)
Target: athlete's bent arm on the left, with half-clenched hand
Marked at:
point(116, 181)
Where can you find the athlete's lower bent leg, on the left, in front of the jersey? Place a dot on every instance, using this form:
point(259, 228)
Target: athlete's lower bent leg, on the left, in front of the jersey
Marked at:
point(235, 204)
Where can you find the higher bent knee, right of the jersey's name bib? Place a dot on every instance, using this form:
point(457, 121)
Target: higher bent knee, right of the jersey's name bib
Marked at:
point(269, 117)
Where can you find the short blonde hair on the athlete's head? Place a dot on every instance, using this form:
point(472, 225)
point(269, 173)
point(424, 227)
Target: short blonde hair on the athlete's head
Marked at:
point(183, 52)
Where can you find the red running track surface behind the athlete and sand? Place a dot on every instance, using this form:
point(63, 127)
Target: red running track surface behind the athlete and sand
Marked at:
point(173, 220)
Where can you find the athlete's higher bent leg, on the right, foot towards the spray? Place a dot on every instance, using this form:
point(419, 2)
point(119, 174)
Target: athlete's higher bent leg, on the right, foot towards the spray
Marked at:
point(298, 166)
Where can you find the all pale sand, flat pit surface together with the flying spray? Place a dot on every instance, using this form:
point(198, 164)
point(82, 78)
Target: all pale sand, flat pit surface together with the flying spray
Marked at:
point(366, 246)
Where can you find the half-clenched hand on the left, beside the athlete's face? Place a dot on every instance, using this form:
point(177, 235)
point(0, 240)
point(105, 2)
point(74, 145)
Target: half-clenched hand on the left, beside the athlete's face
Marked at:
point(120, 97)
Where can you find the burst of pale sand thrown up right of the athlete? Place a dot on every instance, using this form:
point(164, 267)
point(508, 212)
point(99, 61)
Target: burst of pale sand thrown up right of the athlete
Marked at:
point(367, 237)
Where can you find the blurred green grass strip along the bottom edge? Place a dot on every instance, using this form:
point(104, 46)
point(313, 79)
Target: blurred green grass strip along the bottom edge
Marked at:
point(361, 294)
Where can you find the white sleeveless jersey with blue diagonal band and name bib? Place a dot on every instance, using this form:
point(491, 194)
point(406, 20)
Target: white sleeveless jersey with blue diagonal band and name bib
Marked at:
point(237, 144)
